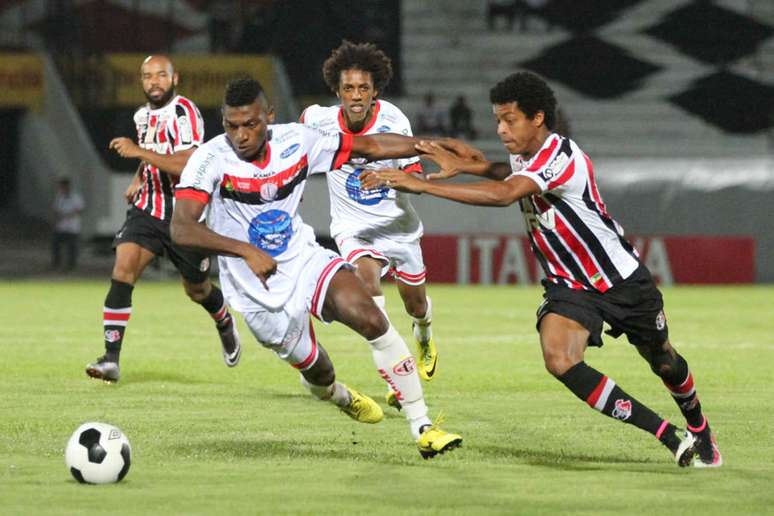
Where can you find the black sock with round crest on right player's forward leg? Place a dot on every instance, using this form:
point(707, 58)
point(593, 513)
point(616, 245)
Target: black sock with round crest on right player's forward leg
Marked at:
point(602, 394)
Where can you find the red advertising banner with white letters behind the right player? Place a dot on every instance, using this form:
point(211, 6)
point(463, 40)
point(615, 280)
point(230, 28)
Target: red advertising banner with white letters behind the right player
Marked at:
point(503, 259)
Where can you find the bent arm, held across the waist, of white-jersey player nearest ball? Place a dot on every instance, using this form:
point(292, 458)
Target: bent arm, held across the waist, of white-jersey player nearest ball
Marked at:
point(187, 231)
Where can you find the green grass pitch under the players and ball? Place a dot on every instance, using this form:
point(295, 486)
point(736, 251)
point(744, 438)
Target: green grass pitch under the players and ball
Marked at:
point(249, 440)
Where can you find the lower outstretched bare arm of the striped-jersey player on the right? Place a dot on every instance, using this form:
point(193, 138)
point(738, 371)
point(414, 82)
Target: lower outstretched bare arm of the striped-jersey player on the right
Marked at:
point(484, 193)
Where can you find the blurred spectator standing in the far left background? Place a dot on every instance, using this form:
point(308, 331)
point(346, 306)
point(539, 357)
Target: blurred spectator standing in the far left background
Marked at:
point(68, 205)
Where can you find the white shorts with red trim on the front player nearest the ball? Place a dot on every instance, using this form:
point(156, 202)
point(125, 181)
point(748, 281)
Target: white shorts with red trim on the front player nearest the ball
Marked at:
point(288, 331)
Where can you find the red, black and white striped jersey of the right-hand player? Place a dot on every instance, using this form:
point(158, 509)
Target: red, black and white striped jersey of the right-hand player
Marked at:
point(576, 241)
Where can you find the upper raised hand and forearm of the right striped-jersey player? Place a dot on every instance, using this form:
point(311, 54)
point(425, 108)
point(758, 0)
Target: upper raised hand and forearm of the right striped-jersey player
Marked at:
point(455, 157)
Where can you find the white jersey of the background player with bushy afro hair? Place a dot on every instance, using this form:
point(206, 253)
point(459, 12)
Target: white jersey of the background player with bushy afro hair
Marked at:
point(374, 213)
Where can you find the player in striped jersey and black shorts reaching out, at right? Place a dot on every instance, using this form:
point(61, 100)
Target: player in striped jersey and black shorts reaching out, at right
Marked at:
point(593, 275)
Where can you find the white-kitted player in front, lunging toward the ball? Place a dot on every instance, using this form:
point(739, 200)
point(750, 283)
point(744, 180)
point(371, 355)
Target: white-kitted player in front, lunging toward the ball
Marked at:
point(272, 269)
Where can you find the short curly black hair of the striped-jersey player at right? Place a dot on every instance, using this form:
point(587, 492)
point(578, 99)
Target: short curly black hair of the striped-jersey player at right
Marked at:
point(530, 92)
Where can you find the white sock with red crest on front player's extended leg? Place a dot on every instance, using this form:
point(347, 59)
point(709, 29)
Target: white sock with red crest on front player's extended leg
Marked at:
point(398, 368)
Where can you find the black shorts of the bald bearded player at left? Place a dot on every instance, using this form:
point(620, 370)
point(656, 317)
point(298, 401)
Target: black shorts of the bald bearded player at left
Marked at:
point(153, 234)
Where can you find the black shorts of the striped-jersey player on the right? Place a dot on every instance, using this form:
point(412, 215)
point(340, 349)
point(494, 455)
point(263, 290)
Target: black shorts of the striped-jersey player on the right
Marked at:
point(634, 307)
